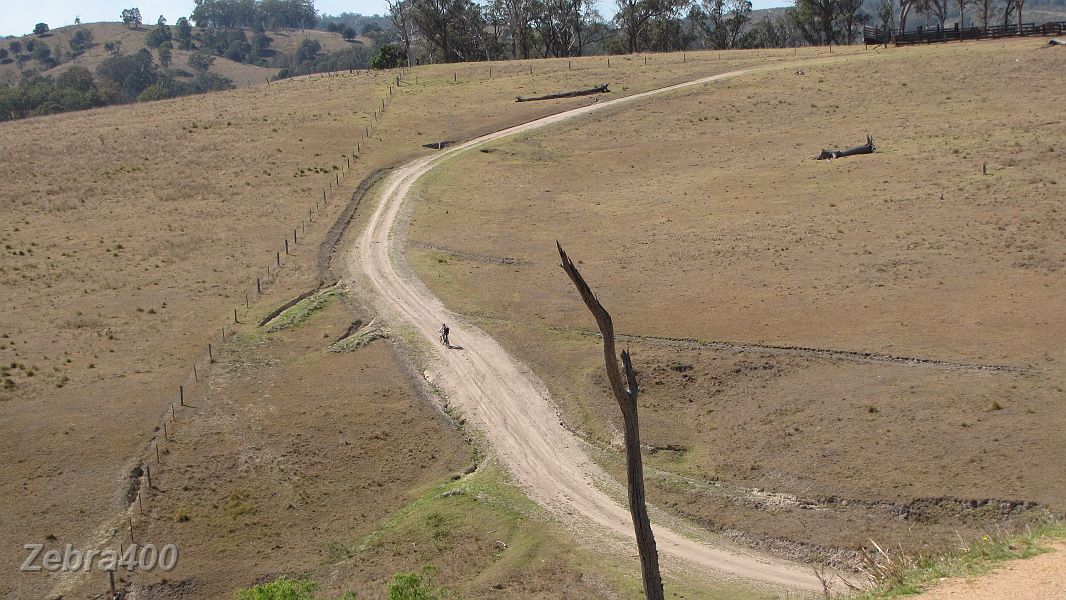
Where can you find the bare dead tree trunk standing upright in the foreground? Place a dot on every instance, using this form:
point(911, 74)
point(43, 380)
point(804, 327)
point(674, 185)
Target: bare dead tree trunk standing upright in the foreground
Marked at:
point(626, 395)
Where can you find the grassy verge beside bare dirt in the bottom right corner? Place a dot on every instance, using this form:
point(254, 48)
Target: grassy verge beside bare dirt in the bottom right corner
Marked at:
point(896, 576)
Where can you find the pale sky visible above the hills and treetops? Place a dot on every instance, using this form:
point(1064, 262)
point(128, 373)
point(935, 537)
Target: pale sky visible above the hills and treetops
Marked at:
point(18, 18)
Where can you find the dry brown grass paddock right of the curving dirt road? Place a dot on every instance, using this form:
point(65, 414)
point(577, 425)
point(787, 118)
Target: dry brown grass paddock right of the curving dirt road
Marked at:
point(720, 246)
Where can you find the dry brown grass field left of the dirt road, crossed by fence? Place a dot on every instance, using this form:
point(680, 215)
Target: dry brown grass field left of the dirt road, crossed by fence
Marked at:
point(131, 235)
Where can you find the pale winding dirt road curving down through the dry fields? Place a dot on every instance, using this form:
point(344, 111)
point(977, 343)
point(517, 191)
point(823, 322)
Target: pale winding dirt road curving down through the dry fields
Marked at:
point(510, 404)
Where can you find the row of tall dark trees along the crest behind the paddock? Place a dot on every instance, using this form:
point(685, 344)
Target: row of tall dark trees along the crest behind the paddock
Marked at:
point(465, 30)
